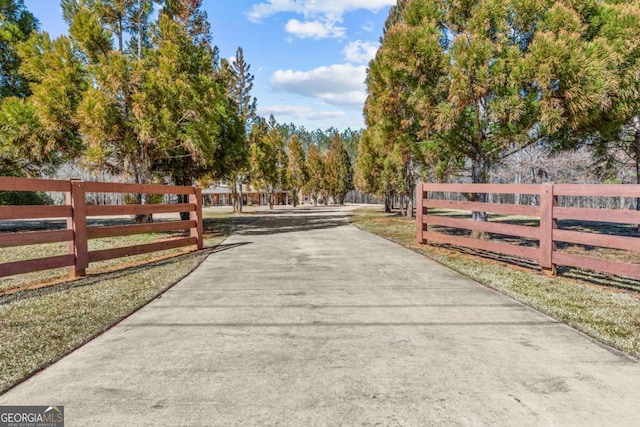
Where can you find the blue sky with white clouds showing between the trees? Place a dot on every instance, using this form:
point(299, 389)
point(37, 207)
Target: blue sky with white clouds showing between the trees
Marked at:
point(309, 57)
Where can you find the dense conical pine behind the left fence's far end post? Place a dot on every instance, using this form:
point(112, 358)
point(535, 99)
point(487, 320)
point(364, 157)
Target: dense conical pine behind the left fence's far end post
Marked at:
point(183, 106)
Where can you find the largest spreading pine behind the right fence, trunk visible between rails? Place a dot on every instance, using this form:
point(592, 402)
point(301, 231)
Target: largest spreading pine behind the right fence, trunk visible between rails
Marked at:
point(481, 80)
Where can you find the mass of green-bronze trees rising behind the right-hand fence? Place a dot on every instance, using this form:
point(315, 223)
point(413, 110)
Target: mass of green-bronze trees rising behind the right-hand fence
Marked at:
point(466, 91)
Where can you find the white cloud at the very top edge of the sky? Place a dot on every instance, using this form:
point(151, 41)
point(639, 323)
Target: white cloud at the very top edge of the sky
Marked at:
point(320, 16)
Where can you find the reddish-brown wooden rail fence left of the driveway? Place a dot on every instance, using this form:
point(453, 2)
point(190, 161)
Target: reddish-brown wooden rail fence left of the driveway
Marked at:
point(76, 211)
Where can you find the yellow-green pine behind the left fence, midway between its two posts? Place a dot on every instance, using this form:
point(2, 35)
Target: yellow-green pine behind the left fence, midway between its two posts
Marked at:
point(109, 114)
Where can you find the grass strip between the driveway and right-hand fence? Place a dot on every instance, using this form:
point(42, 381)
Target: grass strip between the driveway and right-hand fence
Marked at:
point(603, 307)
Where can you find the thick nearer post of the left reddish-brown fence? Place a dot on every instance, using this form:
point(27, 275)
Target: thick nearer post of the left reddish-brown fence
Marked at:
point(78, 223)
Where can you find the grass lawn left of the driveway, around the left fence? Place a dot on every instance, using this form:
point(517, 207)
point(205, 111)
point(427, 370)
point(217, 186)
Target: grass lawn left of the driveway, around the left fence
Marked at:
point(40, 326)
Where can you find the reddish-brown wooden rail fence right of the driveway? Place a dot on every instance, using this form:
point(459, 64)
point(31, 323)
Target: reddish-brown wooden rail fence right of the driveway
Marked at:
point(546, 233)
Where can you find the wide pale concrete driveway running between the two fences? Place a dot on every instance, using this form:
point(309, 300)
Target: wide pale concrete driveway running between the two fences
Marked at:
point(305, 320)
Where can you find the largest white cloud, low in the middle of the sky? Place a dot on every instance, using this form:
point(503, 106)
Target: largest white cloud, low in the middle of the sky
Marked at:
point(341, 84)
